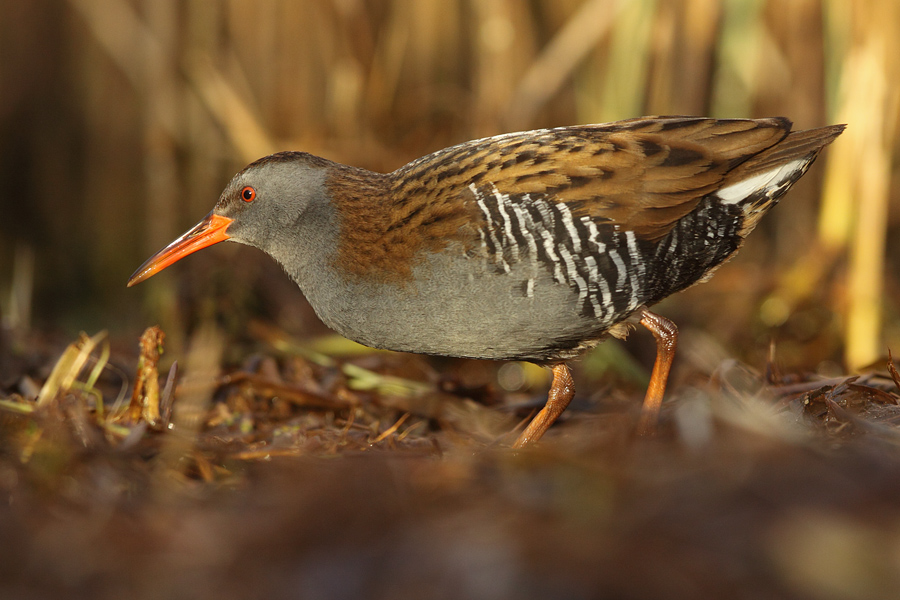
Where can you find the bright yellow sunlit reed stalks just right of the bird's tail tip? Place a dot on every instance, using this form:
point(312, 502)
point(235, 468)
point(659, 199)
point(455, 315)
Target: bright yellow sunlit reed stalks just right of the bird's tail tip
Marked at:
point(858, 189)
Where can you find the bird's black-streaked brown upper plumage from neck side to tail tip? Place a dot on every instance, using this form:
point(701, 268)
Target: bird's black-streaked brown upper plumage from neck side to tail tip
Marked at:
point(642, 175)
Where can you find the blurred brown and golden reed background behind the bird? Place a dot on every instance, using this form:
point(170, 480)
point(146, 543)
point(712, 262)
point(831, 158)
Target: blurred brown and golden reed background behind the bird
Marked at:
point(122, 120)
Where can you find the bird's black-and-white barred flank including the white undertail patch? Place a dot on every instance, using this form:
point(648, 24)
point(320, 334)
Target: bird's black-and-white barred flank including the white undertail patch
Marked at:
point(612, 270)
